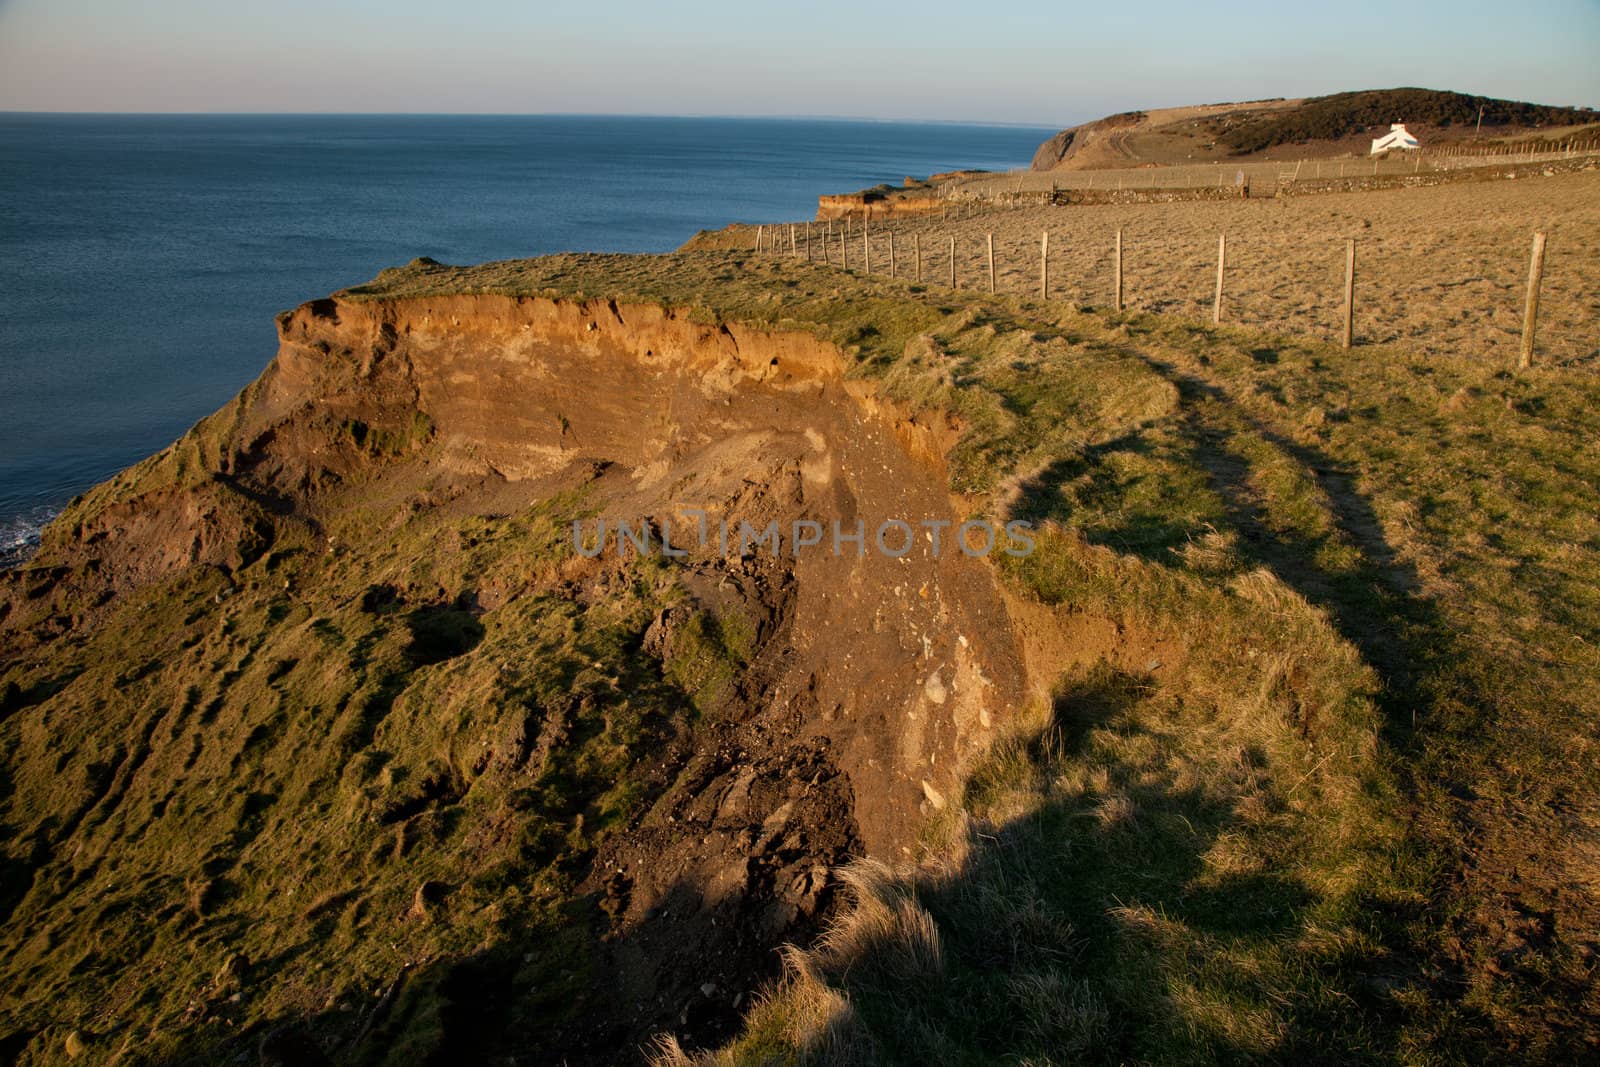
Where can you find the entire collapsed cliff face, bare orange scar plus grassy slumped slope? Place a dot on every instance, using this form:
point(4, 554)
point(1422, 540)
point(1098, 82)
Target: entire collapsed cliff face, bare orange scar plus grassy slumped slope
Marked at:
point(378, 677)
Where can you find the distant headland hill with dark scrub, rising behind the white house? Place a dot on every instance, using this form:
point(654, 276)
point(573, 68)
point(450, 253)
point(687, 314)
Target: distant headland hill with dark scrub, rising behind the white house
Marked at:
point(1319, 126)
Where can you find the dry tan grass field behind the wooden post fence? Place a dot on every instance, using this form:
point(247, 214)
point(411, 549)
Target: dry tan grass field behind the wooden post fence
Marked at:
point(1441, 271)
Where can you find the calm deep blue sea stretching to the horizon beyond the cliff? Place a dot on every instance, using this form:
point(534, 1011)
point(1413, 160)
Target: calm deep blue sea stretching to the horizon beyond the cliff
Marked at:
point(143, 258)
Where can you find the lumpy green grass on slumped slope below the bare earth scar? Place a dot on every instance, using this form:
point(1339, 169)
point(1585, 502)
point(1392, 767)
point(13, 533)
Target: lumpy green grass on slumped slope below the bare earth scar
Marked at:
point(319, 738)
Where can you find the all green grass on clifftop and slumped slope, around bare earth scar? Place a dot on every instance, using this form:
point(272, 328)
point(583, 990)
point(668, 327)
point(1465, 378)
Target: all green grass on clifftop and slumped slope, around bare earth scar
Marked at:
point(1326, 793)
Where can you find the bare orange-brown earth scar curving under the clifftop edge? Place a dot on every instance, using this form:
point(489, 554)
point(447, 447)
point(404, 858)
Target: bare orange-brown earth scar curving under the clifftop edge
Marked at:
point(905, 663)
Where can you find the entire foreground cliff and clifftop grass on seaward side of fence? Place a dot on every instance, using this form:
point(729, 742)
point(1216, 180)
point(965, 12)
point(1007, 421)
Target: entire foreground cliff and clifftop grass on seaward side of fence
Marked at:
point(374, 767)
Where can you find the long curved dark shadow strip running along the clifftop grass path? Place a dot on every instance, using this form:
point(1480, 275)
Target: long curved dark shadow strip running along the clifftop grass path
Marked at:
point(1439, 703)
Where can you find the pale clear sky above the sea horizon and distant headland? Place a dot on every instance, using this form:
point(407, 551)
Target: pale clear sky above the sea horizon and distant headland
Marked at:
point(1038, 62)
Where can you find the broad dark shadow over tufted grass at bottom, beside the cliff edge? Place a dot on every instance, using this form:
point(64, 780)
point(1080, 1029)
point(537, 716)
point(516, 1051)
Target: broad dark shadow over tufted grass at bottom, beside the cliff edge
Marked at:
point(1116, 919)
